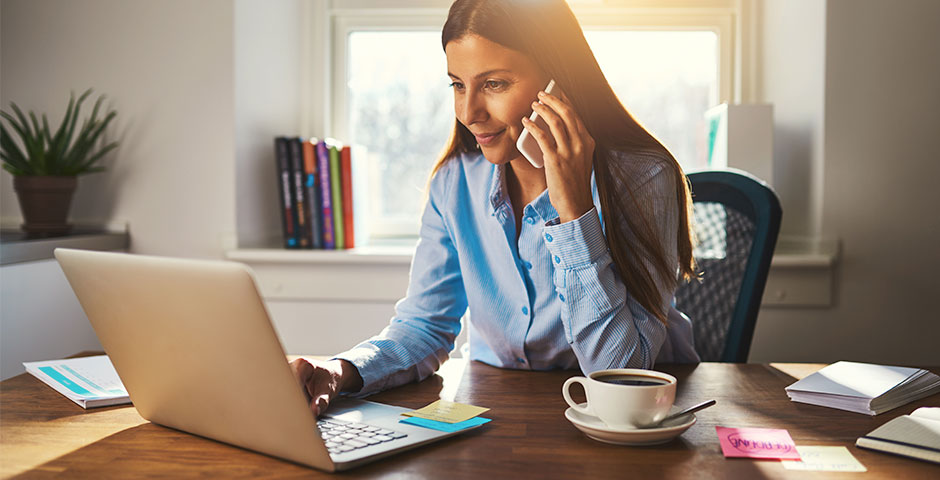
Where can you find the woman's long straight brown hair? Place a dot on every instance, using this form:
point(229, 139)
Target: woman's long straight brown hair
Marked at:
point(548, 32)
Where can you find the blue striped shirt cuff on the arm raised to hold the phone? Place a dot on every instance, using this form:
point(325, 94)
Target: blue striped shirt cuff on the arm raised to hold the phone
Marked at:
point(576, 243)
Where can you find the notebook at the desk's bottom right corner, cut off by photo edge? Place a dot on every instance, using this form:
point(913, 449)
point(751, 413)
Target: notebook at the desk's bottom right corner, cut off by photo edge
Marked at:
point(916, 435)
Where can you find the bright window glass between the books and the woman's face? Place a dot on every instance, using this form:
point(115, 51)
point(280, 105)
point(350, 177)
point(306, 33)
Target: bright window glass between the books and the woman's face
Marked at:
point(400, 111)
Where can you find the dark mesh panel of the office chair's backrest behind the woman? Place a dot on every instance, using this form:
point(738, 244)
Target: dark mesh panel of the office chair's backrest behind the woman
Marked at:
point(724, 239)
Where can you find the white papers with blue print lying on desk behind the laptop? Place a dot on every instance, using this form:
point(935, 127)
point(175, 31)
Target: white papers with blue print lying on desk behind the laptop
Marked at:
point(87, 381)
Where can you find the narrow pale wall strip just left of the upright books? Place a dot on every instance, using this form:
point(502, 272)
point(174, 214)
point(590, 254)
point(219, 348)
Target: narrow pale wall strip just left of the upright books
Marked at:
point(268, 72)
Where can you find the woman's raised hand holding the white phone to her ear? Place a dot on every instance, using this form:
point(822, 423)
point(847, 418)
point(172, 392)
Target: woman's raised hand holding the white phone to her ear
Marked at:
point(568, 151)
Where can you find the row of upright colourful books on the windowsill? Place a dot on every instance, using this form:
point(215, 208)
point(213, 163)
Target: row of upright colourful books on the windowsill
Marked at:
point(315, 187)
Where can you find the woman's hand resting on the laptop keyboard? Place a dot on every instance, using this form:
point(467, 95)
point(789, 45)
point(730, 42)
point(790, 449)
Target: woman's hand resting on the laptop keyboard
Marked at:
point(323, 380)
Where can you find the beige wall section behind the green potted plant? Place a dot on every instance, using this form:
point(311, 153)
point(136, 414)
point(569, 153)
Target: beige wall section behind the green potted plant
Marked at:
point(167, 68)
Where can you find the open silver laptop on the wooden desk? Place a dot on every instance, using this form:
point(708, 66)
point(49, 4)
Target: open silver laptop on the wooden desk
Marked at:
point(195, 348)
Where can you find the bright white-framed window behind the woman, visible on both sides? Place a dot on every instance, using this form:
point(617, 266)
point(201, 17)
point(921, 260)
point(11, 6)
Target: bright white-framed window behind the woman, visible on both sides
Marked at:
point(390, 94)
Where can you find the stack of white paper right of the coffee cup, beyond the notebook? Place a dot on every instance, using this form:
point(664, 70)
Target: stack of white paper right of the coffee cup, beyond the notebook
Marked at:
point(864, 387)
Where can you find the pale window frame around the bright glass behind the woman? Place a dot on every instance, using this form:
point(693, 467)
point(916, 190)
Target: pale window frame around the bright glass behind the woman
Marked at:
point(335, 20)
